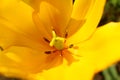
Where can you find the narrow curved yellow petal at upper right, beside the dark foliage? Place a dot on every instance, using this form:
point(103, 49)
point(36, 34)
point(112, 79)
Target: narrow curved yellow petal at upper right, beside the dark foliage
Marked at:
point(91, 14)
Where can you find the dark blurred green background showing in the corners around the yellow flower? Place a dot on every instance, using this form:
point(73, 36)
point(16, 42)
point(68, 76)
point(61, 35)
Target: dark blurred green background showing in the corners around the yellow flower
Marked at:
point(111, 13)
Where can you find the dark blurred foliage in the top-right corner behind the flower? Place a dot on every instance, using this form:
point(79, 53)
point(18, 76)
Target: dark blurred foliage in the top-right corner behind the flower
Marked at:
point(111, 12)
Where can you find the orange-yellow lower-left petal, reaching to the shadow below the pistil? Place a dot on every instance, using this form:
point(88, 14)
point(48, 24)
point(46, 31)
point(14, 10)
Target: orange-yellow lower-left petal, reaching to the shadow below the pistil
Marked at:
point(17, 61)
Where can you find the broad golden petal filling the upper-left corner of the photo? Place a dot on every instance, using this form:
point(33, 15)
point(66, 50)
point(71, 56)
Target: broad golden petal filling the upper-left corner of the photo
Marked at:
point(19, 14)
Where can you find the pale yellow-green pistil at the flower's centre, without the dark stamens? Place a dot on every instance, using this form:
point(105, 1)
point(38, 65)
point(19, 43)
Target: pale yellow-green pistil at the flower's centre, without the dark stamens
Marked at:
point(57, 42)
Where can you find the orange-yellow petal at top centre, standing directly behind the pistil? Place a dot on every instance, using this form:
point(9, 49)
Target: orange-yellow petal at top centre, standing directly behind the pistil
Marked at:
point(54, 13)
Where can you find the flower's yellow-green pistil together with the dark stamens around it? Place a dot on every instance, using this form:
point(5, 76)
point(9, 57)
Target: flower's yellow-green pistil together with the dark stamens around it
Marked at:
point(58, 43)
